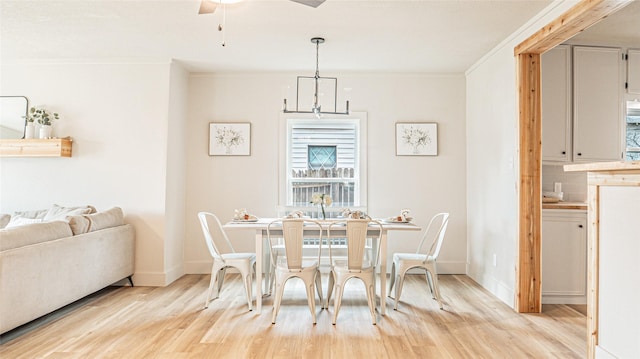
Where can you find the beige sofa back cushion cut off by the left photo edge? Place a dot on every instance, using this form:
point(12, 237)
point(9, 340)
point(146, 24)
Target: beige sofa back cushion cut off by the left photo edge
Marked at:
point(38, 232)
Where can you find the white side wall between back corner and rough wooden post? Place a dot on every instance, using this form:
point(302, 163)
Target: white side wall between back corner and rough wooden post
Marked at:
point(492, 161)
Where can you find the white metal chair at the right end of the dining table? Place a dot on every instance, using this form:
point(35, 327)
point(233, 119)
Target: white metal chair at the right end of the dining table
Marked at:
point(424, 258)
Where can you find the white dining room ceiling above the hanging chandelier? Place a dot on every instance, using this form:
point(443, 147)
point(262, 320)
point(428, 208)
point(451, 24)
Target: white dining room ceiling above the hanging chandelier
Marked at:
point(265, 35)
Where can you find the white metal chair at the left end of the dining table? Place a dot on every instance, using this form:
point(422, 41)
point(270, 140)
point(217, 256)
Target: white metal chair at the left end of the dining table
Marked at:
point(224, 256)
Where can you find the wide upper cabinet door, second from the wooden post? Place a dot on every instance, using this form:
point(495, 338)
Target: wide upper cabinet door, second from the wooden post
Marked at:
point(597, 90)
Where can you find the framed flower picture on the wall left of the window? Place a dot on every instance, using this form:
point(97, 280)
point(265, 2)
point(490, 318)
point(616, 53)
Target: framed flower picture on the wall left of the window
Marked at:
point(229, 139)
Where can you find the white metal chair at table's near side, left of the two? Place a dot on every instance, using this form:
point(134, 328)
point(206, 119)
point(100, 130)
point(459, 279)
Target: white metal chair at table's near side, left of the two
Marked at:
point(289, 263)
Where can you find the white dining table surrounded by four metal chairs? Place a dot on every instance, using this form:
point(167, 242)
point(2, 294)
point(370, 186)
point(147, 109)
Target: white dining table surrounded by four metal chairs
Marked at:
point(259, 226)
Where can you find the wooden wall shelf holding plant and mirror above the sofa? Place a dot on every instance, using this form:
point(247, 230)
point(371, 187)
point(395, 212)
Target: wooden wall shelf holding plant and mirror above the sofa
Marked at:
point(52, 147)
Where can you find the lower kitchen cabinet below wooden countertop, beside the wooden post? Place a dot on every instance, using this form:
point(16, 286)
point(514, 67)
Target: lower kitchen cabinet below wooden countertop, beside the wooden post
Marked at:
point(564, 256)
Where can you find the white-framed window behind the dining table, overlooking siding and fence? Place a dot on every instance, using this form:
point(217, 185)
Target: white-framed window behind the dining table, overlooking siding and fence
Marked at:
point(323, 156)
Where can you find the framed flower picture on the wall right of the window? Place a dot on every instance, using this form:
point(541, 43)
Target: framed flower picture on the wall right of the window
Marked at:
point(416, 139)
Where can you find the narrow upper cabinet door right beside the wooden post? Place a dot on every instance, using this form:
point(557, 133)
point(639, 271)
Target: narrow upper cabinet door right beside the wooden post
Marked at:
point(556, 104)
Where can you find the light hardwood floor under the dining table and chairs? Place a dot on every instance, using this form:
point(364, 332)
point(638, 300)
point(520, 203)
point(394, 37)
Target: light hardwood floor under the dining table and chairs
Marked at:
point(170, 322)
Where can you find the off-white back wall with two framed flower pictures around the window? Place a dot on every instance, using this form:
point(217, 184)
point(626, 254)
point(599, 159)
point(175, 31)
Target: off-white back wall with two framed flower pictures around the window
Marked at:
point(426, 185)
